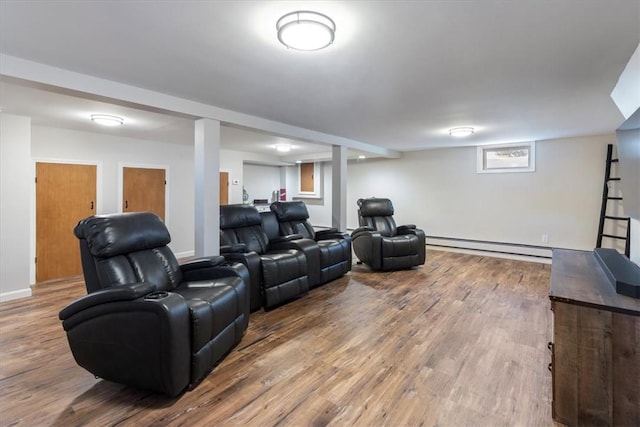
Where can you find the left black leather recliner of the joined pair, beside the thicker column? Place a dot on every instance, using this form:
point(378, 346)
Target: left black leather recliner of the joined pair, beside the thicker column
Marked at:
point(278, 269)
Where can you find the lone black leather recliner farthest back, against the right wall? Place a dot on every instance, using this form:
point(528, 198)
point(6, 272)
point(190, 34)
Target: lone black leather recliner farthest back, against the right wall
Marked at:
point(382, 245)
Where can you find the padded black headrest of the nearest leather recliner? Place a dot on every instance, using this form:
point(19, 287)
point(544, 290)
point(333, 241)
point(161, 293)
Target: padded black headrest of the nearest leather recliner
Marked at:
point(116, 234)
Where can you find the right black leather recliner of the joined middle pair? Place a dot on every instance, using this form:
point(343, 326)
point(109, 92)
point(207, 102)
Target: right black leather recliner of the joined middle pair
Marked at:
point(335, 246)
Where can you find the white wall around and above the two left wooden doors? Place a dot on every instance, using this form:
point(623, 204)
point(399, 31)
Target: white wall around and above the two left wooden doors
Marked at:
point(111, 152)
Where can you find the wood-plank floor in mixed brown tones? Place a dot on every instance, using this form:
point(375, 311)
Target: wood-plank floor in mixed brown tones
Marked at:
point(460, 341)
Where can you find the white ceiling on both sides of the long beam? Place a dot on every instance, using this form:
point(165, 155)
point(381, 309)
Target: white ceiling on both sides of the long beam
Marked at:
point(399, 75)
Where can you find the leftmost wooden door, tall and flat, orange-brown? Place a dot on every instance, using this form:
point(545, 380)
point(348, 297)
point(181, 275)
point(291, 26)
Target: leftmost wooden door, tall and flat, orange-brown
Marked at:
point(65, 194)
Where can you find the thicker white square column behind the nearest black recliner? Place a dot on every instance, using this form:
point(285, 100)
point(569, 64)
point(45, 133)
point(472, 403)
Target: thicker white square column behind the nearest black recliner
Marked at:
point(207, 187)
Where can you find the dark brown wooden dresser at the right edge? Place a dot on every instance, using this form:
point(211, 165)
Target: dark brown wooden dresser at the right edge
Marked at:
point(596, 345)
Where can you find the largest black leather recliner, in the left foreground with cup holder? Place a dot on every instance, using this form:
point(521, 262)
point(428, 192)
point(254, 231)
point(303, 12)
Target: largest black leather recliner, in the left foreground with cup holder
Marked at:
point(147, 321)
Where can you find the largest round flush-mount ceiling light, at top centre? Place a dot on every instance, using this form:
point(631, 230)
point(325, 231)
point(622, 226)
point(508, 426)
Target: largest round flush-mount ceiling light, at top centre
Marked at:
point(306, 30)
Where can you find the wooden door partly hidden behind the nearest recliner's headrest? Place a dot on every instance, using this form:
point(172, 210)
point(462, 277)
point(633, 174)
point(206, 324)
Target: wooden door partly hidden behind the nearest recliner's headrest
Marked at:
point(144, 190)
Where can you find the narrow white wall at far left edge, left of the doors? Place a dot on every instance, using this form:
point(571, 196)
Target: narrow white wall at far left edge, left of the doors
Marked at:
point(16, 177)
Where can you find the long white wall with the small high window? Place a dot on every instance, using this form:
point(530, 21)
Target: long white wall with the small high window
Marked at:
point(440, 191)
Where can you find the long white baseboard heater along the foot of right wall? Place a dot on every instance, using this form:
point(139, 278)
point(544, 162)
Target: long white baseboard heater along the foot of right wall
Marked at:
point(504, 248)
